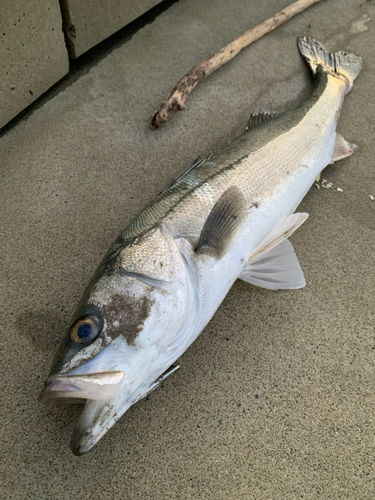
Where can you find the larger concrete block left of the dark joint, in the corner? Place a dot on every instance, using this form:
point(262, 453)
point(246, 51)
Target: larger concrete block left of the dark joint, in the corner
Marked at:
point(33, 54)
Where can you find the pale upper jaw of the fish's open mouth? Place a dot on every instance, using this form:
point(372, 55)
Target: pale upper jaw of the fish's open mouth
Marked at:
point(77, 389)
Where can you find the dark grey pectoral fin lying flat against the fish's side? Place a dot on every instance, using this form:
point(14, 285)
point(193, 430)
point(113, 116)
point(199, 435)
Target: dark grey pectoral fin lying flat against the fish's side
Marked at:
point(222, 223)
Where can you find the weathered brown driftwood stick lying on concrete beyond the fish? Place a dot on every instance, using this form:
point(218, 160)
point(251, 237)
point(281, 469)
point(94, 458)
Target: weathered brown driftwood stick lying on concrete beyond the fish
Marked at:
point(178, 96)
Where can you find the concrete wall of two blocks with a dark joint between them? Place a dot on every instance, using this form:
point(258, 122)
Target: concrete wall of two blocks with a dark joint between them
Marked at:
point(33, 52)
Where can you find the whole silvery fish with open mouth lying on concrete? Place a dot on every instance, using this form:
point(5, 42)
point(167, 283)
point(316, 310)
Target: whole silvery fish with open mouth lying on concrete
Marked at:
point(226, 216)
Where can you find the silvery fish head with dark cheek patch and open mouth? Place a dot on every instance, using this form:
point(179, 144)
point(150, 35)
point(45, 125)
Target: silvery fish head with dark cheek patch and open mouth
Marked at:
point(113, 350)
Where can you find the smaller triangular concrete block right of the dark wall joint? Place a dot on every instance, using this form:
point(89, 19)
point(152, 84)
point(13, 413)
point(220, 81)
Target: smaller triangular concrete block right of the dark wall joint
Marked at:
point(88, 22)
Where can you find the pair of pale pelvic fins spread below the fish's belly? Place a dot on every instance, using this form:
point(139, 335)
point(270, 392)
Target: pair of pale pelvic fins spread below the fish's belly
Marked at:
point(273, 263)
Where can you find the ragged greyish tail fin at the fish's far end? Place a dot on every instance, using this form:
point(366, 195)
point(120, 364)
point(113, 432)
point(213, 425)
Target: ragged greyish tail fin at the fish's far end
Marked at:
point(341, 63)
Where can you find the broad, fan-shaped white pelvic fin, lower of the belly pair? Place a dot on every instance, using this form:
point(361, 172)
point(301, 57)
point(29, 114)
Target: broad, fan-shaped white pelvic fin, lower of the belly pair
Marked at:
point(277, 269)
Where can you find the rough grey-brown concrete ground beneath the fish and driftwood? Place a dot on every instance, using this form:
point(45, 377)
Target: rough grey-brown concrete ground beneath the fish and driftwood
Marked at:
point(275, 400)
